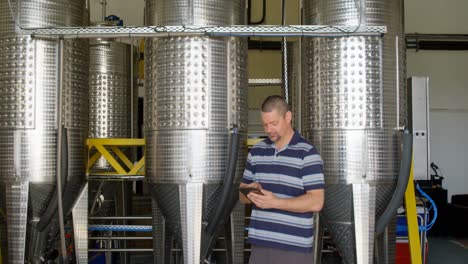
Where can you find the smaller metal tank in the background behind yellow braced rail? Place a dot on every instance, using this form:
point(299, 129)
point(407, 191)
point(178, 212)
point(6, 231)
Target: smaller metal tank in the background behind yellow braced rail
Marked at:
point(111, 116)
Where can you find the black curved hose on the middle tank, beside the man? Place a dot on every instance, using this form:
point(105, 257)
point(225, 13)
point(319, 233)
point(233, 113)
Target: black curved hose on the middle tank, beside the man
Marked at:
point(228, 191)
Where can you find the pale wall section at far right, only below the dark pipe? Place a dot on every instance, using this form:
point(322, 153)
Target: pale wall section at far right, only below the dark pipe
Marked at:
point(448, 92)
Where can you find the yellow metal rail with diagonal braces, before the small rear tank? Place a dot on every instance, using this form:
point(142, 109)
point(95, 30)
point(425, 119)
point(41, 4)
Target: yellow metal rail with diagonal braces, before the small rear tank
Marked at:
point(102, 147)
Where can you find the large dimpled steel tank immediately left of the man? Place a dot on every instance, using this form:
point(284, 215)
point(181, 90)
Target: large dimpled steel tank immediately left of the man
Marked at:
point(195, 92)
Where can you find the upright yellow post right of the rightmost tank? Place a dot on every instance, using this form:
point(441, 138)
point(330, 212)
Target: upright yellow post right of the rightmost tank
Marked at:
point(412, 220)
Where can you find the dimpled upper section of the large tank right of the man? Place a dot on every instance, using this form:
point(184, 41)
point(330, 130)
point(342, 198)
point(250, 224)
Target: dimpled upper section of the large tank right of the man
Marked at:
point(354, 62)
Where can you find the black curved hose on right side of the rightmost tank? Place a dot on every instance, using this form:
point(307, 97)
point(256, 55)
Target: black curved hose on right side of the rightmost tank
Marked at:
point(400, 189)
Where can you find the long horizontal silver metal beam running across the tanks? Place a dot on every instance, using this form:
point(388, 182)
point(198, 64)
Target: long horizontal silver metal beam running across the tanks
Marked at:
point(212, 31)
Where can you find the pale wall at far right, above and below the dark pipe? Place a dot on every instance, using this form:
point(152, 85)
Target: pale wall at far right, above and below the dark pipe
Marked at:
point(448, 85)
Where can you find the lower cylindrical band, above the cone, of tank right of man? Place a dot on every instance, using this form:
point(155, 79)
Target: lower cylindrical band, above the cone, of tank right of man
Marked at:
point(360, 155)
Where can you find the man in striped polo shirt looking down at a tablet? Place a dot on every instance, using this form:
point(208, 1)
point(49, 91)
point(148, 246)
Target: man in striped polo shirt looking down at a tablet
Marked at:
point(286, 170)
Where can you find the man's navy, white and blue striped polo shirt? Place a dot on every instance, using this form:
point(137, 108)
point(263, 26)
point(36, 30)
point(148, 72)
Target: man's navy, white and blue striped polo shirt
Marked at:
point(289, 172)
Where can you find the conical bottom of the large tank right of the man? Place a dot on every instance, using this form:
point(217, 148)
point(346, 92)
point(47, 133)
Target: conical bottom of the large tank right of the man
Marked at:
point(350, 213)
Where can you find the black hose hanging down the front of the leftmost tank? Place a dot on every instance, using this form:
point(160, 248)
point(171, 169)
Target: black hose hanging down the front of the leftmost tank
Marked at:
point(47, 216)
